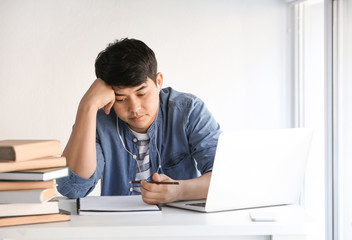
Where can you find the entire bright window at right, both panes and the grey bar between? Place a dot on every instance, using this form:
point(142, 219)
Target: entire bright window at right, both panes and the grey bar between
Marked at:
point(322, 75)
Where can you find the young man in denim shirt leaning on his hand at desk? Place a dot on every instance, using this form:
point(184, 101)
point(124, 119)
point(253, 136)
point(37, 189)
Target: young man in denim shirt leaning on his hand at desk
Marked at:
point(127, 128)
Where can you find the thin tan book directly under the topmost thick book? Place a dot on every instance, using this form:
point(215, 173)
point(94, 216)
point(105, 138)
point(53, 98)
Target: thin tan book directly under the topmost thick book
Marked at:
point(48, 162)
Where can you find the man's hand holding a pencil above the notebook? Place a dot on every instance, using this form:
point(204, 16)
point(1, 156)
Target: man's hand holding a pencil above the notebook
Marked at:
point(153, 193)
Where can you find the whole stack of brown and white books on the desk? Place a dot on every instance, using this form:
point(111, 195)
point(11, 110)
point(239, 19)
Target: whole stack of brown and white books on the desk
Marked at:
point(28, 169)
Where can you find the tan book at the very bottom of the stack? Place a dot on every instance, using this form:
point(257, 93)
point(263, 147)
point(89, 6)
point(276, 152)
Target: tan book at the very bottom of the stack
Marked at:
point(32, 219)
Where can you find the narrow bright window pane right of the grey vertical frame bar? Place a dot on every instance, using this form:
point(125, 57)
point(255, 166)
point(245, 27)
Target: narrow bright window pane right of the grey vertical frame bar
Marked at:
point(342, 115)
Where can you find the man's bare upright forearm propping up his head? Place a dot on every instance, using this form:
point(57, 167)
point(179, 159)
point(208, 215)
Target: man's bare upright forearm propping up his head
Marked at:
point(80, 150)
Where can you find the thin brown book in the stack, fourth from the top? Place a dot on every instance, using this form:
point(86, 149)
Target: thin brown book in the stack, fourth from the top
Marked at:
point(26, 185)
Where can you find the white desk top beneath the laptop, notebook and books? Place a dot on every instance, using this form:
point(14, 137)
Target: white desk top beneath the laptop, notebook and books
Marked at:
point(172, 223)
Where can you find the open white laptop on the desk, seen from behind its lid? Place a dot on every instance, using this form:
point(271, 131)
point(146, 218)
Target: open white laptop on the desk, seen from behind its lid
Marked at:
point(255, 168)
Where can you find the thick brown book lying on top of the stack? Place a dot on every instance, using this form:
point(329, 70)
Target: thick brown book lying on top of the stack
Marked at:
point(22, 150)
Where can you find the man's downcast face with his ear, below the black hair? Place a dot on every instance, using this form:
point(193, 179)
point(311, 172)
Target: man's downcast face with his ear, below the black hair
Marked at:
point(138, 106)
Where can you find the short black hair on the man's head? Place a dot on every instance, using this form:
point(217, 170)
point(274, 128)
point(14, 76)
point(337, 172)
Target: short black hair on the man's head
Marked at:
point(127, 63)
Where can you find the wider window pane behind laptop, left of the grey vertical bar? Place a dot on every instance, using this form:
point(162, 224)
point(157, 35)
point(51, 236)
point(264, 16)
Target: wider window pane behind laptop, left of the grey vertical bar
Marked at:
point(309, 110)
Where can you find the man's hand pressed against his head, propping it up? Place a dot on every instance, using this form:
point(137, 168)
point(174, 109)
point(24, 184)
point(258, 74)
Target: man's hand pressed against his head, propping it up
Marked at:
point(99, 95)
